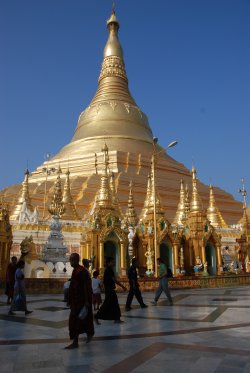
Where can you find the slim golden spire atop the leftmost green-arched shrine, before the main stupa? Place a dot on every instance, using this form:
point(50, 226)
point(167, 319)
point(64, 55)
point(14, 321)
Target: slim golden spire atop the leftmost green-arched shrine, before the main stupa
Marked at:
point(104, 196)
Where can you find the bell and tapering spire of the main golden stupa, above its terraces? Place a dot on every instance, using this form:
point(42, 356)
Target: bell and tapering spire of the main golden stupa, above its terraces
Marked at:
point(111, 102)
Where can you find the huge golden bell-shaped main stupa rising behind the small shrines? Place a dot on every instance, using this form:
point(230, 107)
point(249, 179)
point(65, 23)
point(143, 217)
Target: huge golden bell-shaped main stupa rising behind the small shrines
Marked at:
point(113, 117)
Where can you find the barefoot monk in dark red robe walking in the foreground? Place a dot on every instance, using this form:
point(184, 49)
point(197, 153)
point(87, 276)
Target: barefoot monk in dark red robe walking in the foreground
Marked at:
point(80, 295)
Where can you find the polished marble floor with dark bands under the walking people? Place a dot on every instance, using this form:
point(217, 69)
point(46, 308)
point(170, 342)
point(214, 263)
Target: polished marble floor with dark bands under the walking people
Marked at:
point(206, 330)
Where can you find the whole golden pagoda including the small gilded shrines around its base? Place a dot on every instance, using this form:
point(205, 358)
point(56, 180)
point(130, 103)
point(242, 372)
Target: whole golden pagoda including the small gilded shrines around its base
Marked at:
point(112, 145)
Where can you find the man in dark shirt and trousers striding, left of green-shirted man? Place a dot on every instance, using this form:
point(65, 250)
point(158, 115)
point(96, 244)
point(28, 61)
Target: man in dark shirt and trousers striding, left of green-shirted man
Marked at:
point(134, 288)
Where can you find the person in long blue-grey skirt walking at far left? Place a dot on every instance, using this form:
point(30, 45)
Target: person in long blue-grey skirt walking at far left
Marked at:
point(19, 297)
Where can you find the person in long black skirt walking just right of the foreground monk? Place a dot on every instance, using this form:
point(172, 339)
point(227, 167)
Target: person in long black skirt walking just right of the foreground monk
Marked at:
point(110, 309)
